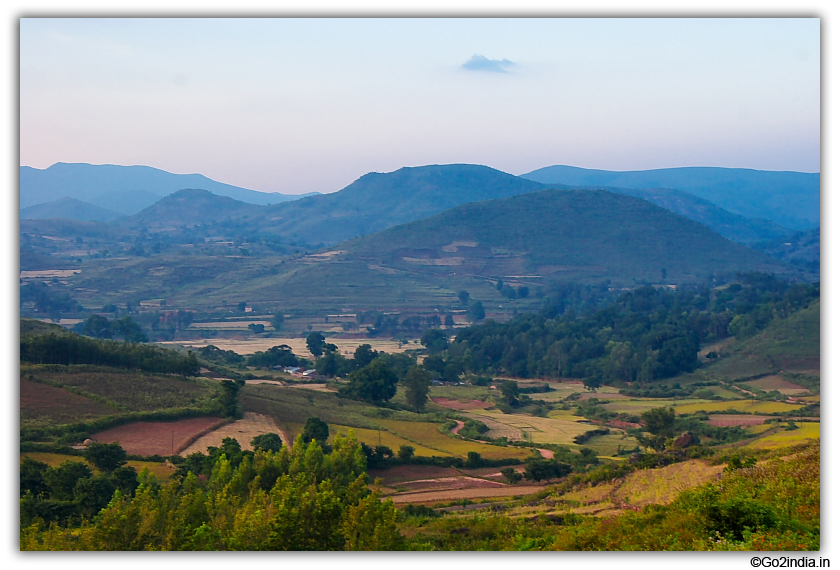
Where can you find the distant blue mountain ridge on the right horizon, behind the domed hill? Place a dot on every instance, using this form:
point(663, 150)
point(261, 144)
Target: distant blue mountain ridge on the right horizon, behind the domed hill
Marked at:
point(789, 199)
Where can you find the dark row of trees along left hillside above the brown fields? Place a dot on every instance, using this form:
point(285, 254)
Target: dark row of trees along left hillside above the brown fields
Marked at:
point(68, 349)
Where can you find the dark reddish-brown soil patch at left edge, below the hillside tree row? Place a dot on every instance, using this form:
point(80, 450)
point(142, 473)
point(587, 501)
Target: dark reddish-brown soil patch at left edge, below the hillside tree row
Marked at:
point(42, 400)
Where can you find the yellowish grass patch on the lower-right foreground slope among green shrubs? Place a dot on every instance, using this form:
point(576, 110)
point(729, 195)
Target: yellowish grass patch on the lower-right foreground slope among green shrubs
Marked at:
point(661, 486)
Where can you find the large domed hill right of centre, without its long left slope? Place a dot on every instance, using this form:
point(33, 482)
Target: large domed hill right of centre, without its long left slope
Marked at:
point(580, 233)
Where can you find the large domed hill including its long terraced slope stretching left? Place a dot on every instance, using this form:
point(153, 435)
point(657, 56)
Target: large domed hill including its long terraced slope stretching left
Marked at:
point(531, 239)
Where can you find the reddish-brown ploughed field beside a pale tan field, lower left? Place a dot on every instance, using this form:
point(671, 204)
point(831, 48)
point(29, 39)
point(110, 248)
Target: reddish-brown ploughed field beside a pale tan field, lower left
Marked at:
point(158, 438)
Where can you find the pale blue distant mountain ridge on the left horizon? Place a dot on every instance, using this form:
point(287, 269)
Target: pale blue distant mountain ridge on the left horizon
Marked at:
point(106, 185)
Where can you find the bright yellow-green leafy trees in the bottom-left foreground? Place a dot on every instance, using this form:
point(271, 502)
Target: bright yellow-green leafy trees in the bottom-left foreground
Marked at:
point(298, 499)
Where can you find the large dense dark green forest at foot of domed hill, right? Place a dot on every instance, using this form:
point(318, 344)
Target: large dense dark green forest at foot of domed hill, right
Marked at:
point(643, 335)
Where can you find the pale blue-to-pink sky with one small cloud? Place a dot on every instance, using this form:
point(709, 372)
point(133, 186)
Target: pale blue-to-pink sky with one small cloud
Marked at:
point(297, 105)
